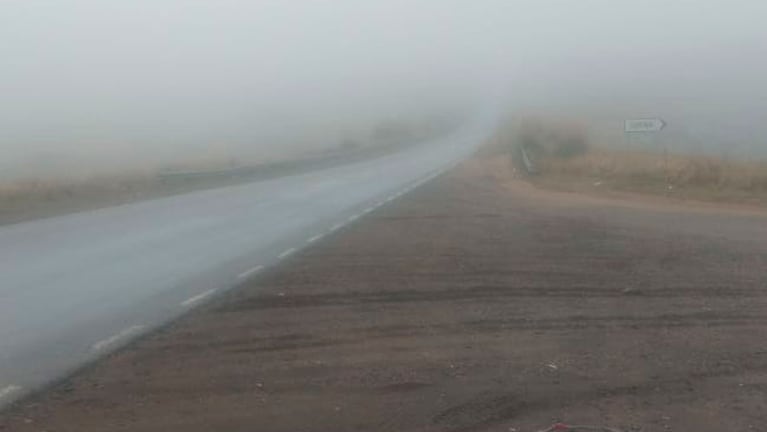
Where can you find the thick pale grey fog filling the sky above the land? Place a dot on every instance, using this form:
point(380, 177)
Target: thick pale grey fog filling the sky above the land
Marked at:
point(113, 84)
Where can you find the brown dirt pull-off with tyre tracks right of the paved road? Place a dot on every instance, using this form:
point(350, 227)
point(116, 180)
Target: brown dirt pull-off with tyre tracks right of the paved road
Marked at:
point(473, 304)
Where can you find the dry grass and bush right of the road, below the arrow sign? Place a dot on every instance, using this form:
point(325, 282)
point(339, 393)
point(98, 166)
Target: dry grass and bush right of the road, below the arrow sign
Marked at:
point(560, 156)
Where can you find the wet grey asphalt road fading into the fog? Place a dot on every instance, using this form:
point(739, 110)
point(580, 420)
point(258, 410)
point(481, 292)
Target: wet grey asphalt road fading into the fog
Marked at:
point(78, 286)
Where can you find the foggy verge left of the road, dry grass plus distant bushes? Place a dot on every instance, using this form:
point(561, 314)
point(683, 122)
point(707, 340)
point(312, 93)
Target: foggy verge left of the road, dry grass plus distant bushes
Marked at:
point(48, 195)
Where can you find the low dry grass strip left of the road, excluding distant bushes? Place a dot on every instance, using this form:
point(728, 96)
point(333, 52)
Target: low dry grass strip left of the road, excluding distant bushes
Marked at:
point(32, 198)
